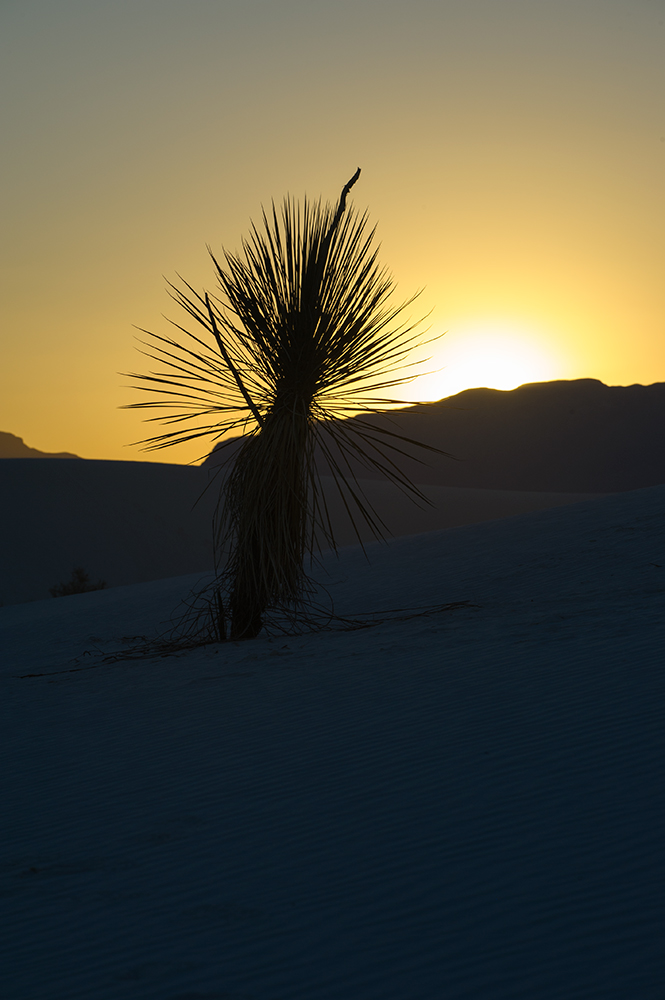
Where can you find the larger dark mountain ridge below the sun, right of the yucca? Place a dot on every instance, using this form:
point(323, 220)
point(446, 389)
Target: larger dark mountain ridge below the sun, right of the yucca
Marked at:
point(564, 436)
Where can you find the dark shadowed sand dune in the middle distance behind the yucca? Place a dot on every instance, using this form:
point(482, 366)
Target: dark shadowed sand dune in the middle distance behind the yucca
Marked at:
point(131, 522)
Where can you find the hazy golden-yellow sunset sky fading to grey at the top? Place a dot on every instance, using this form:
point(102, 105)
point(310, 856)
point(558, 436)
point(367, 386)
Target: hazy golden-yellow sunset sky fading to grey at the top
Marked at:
point(512, 156)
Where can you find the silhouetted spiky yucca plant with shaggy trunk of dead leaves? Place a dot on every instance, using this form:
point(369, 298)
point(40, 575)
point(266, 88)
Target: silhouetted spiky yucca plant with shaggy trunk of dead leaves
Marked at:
point(300, 335)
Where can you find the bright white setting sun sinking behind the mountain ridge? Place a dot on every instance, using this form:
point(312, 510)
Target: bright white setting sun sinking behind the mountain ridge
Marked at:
point(496, 355)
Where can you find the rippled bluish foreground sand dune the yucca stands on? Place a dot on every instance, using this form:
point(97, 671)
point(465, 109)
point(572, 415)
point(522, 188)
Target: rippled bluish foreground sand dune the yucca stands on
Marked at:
point(462, 805)
